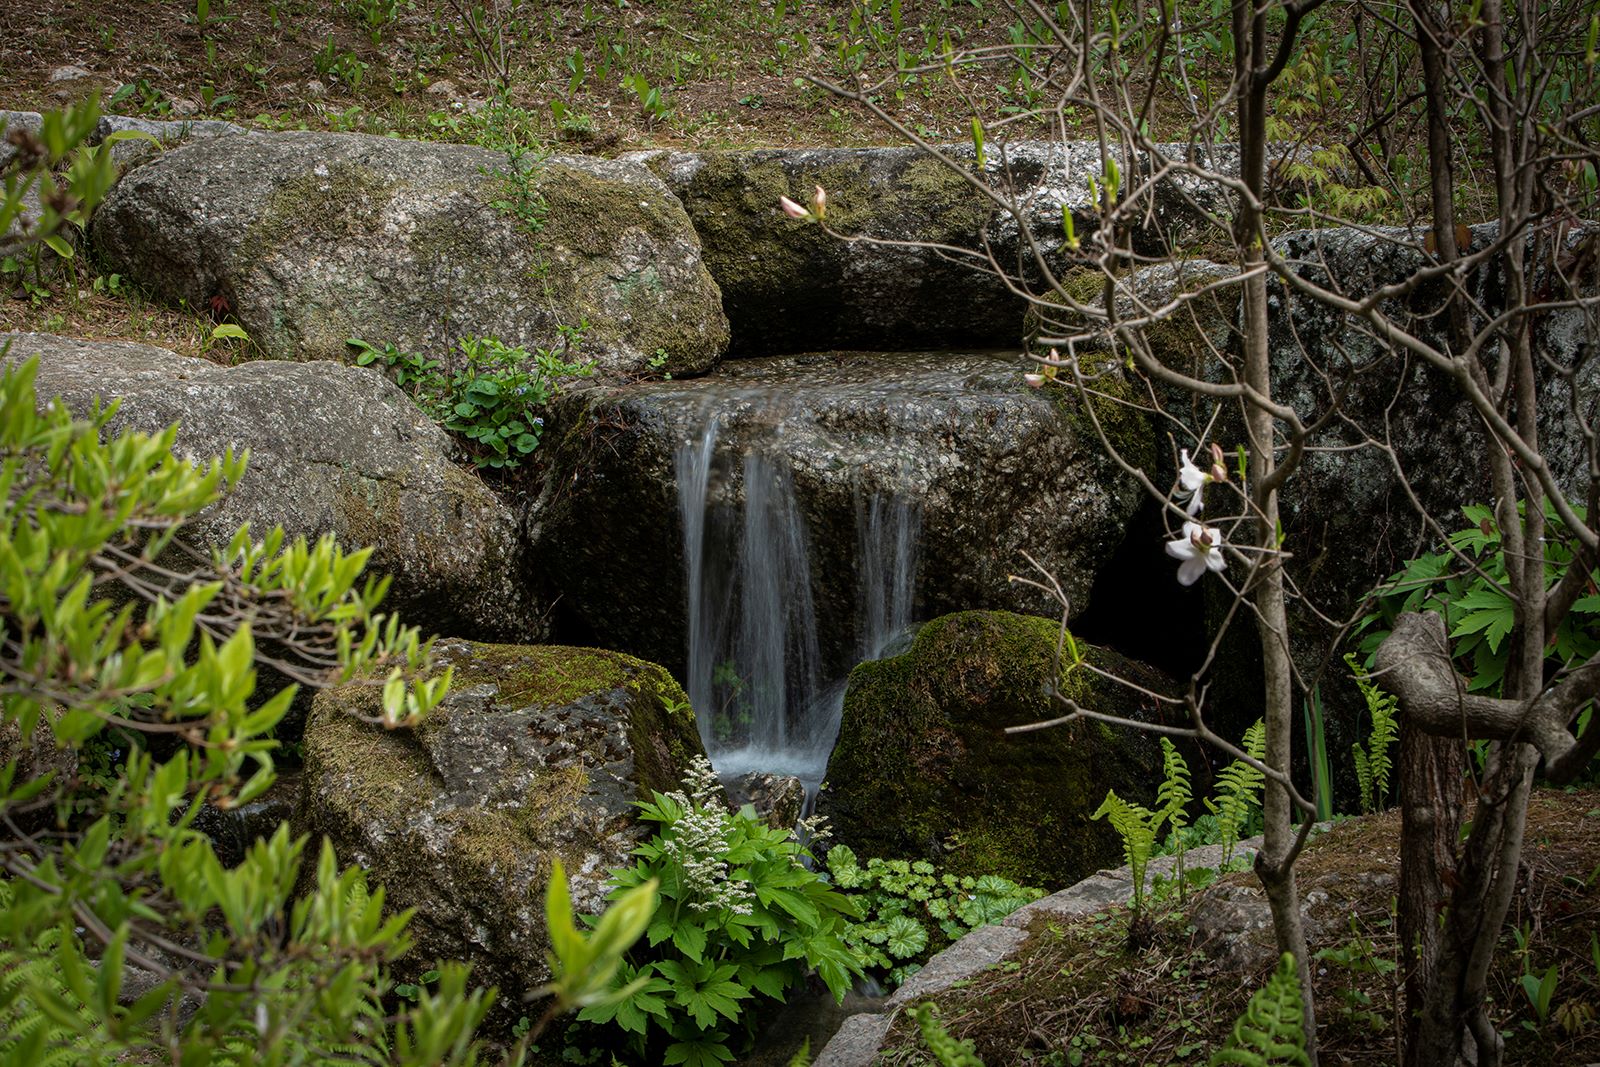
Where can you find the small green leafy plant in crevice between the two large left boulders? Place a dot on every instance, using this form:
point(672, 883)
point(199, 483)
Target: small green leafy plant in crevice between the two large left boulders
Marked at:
point(490, 398)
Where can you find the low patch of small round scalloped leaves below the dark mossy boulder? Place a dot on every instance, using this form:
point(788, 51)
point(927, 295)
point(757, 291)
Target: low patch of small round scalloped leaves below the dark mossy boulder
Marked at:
point(911, 909)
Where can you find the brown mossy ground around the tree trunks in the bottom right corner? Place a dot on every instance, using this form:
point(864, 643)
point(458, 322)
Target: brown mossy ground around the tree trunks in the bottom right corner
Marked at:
point(1076, 994)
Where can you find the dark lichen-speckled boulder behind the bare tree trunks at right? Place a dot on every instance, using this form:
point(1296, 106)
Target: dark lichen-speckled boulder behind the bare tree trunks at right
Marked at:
point(1345, 511)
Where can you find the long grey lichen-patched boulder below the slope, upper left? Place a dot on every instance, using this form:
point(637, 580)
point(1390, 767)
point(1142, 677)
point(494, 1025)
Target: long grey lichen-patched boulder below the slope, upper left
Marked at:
point(313, 239)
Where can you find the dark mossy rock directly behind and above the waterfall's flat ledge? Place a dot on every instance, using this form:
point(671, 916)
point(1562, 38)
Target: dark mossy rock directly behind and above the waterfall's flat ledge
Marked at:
point(778, 274)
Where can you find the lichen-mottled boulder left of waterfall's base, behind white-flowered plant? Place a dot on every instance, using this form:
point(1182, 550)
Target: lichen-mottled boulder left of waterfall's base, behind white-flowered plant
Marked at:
point(538, 754)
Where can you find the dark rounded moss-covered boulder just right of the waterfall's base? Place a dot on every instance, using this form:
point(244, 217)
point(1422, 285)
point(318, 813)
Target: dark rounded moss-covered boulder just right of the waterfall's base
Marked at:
point(924, 767)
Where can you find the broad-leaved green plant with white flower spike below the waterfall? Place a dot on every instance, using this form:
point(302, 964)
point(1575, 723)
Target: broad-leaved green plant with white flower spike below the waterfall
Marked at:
point(740, 922)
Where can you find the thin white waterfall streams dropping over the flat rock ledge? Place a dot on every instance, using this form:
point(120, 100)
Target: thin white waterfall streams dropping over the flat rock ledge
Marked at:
point(756, 674)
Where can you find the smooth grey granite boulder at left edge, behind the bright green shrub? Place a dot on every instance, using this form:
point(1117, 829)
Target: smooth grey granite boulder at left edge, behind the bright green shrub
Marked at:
point(332, 450)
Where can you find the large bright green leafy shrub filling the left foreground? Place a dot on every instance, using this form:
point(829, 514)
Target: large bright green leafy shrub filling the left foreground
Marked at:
point(98, 889)
